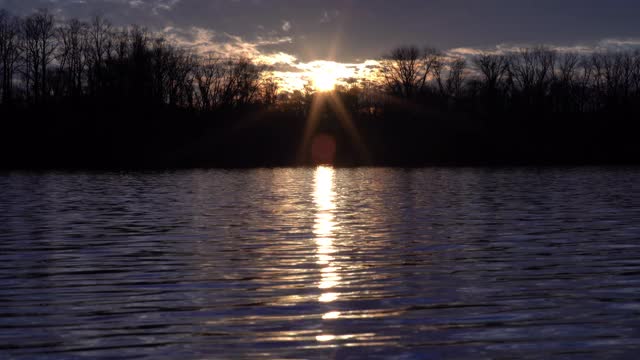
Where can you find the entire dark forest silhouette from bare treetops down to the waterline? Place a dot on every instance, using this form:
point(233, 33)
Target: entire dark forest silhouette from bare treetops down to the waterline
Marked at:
point(91, 95)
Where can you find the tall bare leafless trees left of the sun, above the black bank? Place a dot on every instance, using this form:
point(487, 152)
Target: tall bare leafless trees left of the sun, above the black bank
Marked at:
point(43, 61)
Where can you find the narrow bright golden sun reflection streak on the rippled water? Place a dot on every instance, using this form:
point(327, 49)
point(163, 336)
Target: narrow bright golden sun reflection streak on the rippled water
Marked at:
point(323, 230)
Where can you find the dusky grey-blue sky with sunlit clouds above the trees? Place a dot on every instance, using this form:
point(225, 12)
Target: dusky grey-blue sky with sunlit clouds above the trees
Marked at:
point(293, 35)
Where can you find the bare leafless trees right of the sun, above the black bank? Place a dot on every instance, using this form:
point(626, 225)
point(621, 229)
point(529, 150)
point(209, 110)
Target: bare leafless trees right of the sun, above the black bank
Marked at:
point(538, 79)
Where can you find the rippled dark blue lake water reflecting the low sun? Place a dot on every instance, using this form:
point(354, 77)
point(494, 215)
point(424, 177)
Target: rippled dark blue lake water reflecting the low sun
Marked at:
point(321, 263)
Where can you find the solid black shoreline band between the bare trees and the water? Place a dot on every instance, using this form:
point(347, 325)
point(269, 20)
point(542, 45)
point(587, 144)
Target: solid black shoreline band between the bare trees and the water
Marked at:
point(174, 139)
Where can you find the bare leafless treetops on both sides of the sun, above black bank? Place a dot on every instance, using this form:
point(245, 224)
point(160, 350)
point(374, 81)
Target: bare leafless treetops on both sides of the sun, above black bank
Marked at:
point(43, 60)
